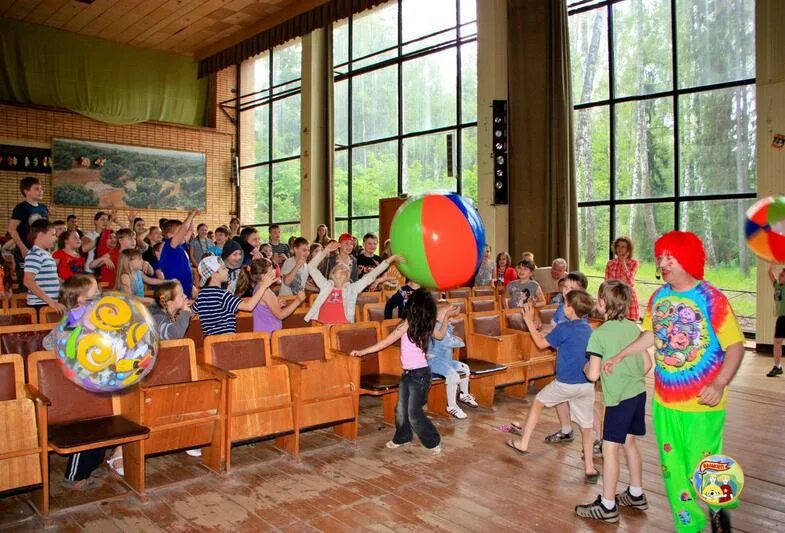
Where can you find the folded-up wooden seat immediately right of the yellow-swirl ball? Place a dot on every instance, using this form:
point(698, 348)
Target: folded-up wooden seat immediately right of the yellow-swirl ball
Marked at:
point(182, 403)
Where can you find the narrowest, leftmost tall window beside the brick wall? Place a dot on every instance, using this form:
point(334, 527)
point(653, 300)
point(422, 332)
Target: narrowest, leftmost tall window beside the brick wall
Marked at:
point(269, 150)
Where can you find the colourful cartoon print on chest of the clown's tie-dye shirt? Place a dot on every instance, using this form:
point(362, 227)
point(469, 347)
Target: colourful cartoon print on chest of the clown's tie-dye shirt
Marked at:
point(679, 331)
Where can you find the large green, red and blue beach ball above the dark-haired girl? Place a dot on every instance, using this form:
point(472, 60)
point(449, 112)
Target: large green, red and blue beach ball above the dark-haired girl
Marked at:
point(442, 238)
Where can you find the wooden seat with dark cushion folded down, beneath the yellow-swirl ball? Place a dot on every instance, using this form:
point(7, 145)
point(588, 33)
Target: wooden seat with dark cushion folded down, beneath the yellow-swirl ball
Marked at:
point(75, 419)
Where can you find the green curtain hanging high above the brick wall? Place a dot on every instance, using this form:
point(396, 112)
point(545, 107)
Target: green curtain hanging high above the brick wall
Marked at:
point(102, 80)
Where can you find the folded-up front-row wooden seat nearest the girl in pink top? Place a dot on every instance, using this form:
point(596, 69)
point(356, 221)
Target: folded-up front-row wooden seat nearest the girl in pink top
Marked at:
point(325, 384)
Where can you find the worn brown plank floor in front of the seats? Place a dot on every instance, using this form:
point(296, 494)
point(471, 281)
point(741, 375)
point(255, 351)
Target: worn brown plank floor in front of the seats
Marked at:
point(475, 485)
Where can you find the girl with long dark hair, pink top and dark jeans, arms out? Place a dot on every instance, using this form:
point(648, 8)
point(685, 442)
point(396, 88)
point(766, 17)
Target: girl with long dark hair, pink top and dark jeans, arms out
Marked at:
point(415, 333)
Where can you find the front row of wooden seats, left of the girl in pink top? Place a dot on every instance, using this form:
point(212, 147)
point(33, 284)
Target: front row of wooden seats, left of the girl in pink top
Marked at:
point(243, 386)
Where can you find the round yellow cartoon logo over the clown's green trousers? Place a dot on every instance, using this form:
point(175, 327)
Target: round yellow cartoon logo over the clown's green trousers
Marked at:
point(718, 480)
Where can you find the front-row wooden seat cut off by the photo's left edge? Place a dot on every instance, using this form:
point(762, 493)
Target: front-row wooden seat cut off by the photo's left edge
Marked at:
point(24, 454)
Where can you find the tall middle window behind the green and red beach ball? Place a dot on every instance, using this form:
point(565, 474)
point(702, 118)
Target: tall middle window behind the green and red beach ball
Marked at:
point(405, 106)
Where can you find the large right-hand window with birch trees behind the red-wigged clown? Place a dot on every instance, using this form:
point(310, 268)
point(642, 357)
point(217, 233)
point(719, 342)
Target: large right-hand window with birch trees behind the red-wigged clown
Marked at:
point(664, 122)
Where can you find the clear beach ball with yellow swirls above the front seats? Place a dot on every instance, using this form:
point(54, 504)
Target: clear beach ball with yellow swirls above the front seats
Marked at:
point(108, 344)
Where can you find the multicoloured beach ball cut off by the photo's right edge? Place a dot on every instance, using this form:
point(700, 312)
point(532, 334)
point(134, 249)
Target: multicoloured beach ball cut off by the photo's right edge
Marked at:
point(765, 228)
